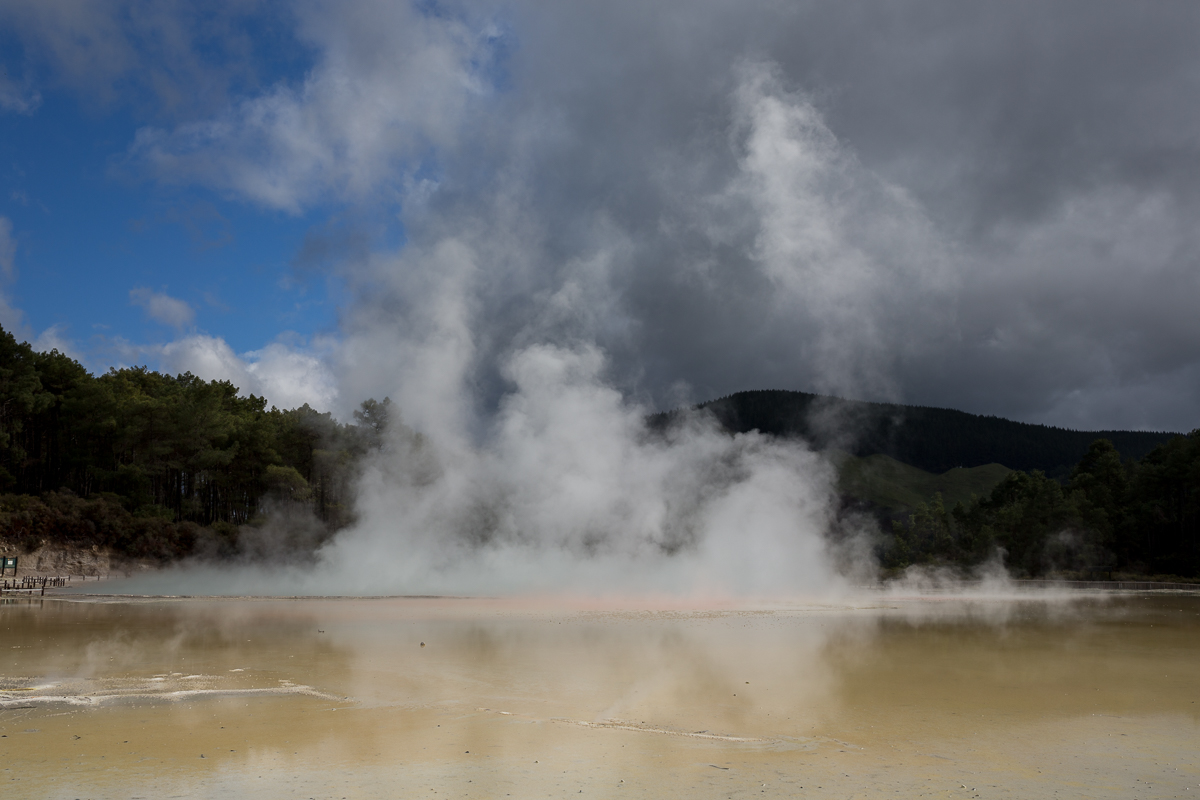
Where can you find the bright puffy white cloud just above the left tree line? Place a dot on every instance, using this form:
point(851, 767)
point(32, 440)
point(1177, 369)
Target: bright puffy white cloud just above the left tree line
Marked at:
point(286, 376)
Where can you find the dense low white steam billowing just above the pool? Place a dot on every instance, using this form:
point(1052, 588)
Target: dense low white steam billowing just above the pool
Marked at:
point(572, 492)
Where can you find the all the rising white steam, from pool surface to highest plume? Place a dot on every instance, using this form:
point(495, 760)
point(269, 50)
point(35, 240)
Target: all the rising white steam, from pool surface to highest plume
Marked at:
point(533, 470)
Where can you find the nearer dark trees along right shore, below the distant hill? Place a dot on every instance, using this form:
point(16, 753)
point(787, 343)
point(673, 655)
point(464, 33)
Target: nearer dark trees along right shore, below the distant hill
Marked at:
point(1138, 518)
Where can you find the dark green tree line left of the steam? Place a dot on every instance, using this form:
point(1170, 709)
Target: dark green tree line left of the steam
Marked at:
point(158, 466)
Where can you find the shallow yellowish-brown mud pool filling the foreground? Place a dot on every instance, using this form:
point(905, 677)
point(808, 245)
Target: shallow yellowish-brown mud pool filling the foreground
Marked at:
point(337, 699)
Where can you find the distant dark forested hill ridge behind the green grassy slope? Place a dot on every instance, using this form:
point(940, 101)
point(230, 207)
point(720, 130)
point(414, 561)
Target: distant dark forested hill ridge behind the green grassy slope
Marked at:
point(933, 440)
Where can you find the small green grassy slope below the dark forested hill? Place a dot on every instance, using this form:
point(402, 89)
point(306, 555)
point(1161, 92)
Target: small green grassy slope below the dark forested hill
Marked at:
point(898, 488)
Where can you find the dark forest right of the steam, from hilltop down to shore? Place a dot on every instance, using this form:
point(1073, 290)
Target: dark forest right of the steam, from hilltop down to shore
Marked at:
point(1078, 503)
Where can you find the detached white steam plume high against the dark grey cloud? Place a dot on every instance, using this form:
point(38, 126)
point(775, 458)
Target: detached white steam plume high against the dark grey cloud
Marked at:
point(851, 255)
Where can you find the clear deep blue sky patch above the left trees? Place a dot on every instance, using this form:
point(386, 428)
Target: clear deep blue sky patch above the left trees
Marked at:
point(91, 230)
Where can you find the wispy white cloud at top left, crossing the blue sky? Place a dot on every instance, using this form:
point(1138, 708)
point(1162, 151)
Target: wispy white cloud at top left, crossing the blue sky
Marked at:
point(391, 85)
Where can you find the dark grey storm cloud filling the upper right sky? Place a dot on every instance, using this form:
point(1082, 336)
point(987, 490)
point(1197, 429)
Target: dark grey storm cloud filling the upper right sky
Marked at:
point(1051, 148)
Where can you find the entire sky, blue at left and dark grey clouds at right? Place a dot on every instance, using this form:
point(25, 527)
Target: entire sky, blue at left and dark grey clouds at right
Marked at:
point(980, 206)
